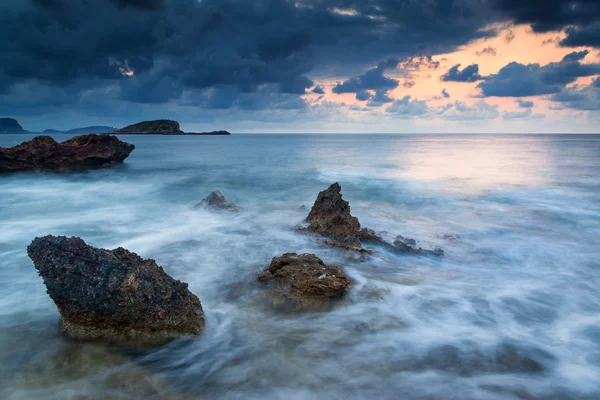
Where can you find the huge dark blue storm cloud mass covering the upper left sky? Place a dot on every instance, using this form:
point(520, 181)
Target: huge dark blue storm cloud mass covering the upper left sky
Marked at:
point(176, 46)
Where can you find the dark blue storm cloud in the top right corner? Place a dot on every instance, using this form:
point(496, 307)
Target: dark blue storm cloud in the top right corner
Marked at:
point(580, 18)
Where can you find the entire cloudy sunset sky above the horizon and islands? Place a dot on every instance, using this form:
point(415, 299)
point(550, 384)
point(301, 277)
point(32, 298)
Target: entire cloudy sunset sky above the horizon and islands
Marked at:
point(277, 66)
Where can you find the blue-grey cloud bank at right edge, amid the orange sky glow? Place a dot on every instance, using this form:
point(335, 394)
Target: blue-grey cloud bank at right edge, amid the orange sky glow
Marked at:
point(521, 80)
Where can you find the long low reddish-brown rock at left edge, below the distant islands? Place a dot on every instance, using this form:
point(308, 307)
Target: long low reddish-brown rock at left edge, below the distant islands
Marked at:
point(43, 153)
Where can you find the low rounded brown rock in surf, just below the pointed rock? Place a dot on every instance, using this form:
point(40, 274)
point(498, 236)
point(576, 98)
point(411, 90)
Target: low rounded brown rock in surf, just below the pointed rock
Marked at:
point(305, 277)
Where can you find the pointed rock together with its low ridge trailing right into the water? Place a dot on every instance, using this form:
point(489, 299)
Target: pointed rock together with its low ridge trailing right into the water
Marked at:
point(330, 217)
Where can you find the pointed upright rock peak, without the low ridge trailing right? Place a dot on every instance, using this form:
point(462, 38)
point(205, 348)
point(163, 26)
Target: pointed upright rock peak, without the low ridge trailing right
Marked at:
point(330, 216)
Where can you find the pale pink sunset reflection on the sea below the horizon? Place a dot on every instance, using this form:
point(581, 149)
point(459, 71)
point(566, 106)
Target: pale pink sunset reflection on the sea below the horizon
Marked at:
point(476, 163)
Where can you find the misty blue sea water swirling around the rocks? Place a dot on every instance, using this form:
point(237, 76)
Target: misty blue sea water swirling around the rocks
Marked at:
point(512, 311)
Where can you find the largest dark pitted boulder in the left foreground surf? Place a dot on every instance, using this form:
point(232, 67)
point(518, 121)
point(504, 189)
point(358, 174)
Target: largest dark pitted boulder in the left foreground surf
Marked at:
point(114, 294)
